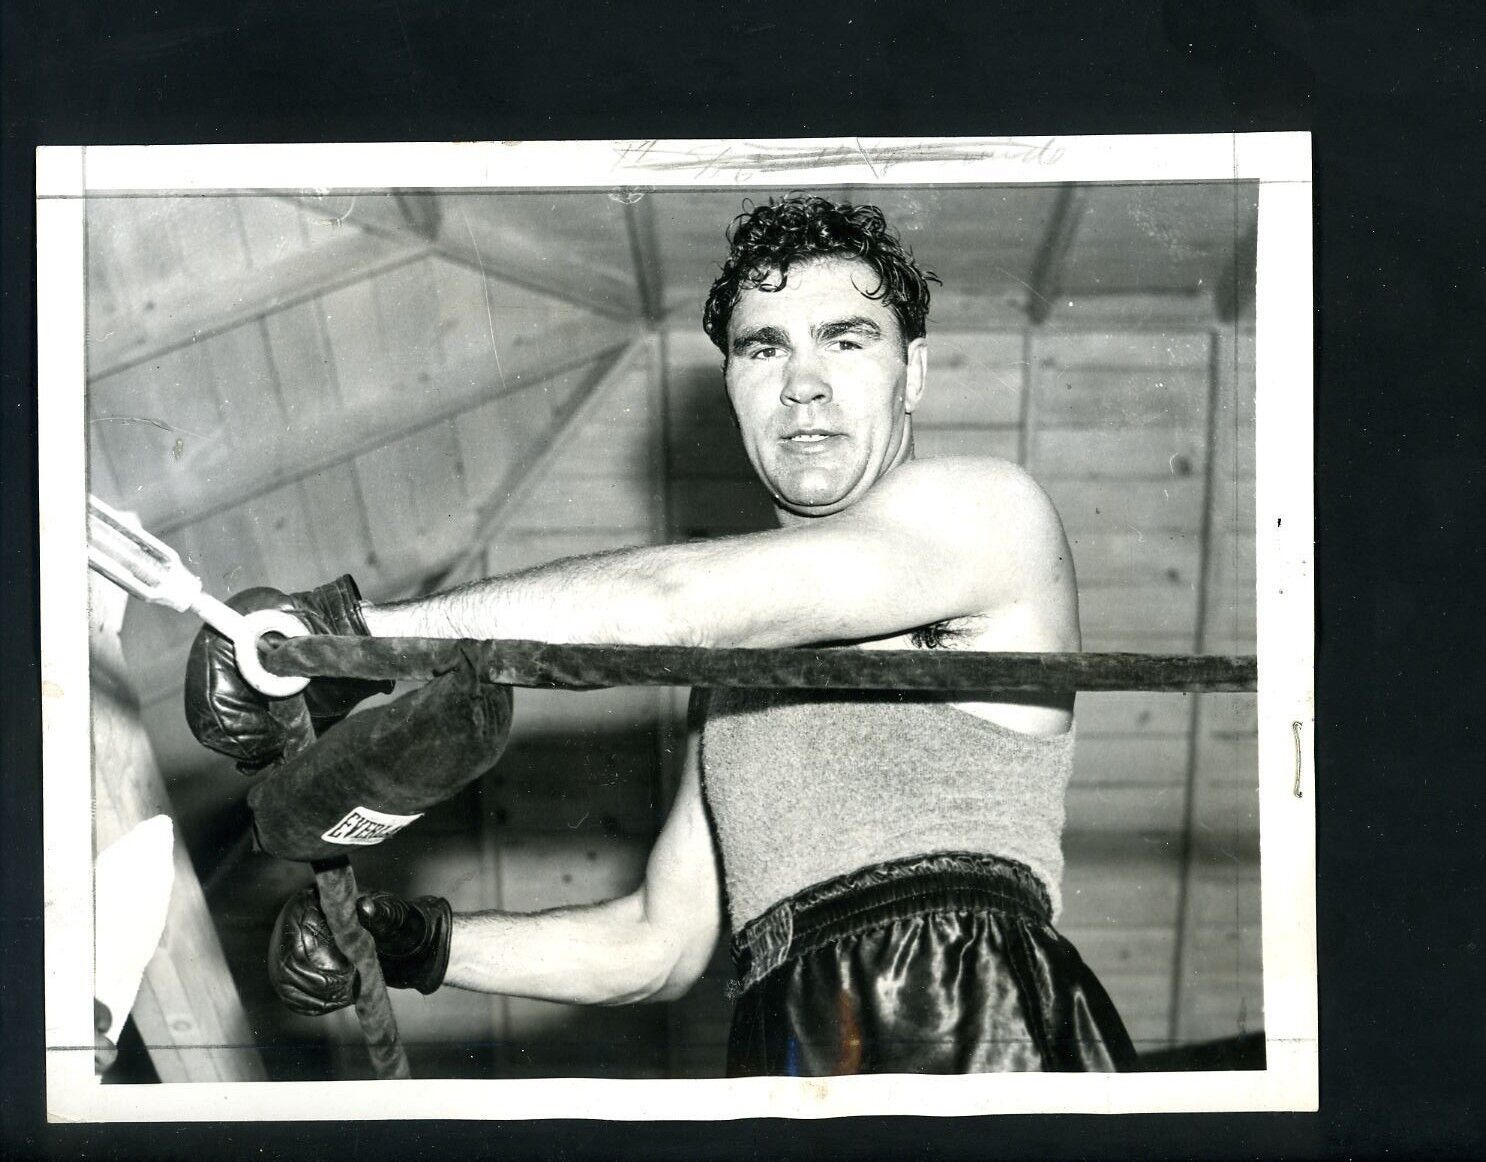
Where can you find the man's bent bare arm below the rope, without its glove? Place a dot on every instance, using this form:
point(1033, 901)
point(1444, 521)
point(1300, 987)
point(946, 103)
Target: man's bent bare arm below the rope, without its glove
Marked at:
point(649, 946)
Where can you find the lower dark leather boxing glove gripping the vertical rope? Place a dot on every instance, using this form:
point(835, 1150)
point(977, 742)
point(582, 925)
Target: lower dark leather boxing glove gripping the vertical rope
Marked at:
point(313, 977)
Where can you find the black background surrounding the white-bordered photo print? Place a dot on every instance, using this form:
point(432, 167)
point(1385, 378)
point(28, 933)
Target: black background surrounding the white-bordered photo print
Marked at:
point(1395, 96)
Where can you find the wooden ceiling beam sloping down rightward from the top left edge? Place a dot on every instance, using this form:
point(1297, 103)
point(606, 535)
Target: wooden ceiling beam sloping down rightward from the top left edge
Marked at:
point(502, 255)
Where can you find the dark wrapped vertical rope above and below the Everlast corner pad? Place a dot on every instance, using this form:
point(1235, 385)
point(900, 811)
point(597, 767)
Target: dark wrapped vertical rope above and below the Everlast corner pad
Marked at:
point(338, 898)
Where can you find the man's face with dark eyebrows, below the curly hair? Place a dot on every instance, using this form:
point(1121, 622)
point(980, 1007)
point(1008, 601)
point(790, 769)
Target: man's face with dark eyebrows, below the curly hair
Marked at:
point(821, 386)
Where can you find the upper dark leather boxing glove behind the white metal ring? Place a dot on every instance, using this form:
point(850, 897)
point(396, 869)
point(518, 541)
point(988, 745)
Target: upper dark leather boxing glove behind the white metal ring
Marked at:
point(231, 717)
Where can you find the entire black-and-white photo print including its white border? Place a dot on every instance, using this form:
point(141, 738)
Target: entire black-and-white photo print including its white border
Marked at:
point(834, 613)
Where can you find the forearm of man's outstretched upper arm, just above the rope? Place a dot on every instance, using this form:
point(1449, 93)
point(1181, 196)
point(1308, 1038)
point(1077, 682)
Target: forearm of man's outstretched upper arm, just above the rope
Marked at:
point(610, 598)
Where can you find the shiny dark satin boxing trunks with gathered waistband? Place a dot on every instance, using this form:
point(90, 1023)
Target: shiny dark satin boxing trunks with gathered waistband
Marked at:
point(941, 964)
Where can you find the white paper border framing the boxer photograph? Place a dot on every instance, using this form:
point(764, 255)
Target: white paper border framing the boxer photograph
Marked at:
point(1285, 522)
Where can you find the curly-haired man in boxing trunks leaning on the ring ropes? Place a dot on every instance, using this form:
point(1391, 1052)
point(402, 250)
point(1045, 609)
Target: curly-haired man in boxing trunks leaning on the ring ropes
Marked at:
point(889, 867)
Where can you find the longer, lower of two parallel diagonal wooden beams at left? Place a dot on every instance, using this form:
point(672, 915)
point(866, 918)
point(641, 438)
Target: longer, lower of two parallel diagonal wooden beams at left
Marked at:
point(274, 457)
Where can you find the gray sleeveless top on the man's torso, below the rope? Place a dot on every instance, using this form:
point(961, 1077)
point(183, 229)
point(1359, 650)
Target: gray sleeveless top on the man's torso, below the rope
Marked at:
point(809, 785)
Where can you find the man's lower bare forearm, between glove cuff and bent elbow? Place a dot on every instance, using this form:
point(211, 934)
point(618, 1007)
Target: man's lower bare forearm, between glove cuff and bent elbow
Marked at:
point(600, 955)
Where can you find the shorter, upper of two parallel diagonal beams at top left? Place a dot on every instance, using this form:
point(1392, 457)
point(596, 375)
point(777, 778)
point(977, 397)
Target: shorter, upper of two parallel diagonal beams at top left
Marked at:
point(189, 314)
